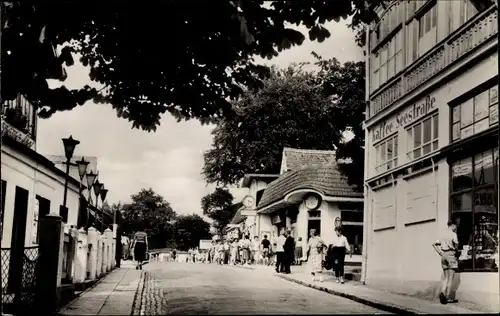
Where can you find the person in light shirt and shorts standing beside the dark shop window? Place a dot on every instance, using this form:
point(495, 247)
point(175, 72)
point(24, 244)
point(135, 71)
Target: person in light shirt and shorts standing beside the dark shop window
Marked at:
point(447, 248)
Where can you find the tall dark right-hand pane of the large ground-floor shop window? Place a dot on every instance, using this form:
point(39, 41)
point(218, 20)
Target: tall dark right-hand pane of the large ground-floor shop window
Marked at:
point(485, 229)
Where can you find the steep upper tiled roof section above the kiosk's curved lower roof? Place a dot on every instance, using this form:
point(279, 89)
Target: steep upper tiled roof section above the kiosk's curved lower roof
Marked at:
point(301, 158)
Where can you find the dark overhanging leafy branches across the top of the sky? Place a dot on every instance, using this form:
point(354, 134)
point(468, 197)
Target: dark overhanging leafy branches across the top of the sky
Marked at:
point(189, 58)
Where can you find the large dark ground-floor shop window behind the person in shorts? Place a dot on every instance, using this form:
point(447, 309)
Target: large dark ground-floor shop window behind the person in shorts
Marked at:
point(474, 207)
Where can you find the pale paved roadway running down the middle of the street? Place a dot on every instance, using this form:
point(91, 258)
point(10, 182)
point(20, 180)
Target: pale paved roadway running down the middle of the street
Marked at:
point(188, 288)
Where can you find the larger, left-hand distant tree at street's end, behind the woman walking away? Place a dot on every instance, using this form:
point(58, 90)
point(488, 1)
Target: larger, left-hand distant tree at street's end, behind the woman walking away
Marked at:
point(151, 213)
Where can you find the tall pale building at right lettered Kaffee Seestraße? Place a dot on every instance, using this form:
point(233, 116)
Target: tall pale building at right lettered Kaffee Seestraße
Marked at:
point(431, 146)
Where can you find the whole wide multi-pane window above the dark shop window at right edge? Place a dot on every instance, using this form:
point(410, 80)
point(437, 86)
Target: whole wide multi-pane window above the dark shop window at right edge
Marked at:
point(475, 115)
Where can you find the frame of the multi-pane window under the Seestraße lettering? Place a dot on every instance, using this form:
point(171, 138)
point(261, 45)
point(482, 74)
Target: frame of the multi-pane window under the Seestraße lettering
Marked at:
point(433, 142)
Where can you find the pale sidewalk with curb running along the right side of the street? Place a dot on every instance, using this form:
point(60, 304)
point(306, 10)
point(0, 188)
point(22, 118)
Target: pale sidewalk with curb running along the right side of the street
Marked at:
point(390, 302)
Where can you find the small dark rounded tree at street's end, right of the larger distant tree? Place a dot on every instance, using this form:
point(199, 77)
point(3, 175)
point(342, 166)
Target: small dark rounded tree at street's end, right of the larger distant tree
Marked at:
point(189, 230)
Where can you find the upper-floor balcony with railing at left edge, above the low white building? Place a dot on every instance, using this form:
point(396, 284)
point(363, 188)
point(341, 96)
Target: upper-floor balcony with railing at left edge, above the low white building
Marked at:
point(19, 119)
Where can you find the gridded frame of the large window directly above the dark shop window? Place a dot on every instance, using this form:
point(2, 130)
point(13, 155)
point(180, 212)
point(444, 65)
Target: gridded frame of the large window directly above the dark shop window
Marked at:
point(492, 106)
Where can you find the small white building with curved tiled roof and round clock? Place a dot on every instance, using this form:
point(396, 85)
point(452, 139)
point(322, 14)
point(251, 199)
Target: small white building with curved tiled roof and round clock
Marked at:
point(309, 193)
